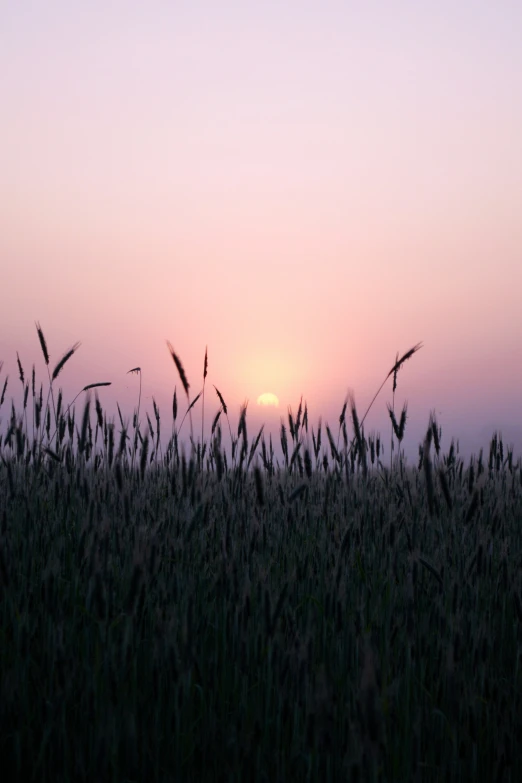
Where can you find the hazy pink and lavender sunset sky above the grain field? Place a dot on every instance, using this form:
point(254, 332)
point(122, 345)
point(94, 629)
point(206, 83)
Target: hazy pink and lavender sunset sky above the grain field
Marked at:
point(306, 188)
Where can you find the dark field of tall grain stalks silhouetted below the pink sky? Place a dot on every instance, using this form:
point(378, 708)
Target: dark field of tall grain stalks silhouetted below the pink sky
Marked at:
point(220, 616)
